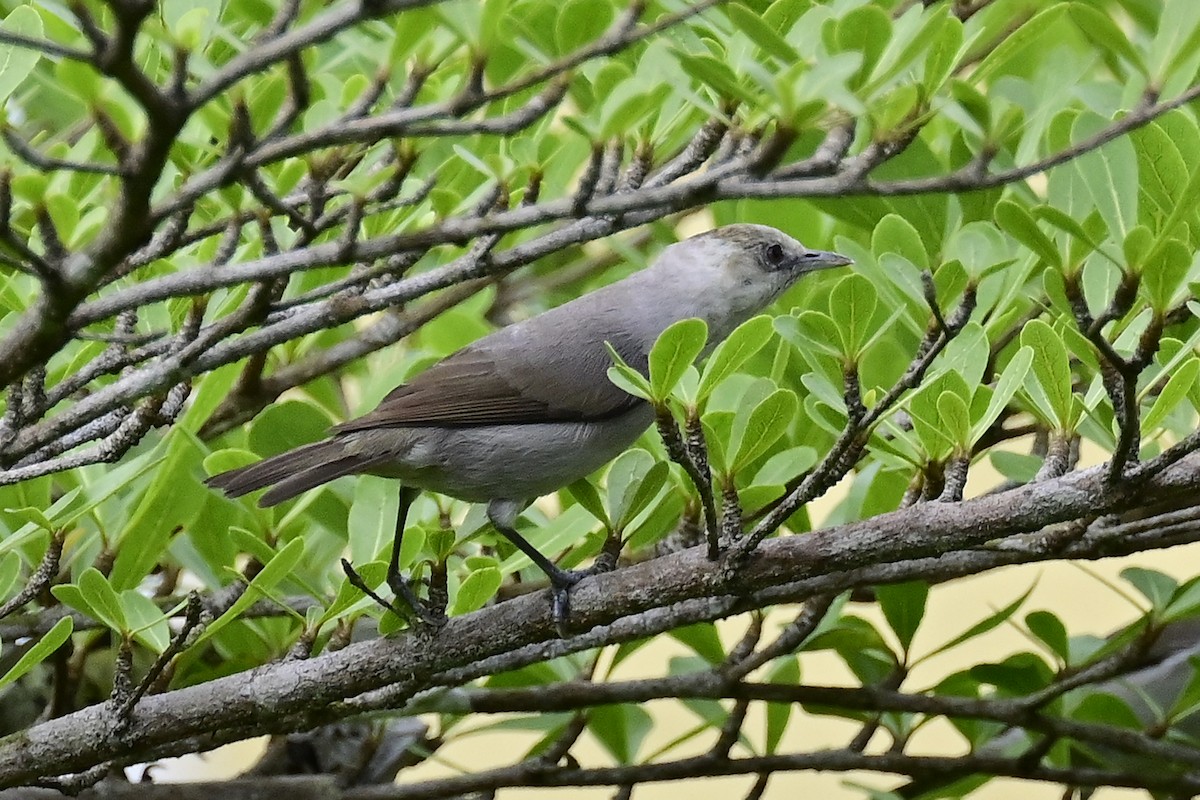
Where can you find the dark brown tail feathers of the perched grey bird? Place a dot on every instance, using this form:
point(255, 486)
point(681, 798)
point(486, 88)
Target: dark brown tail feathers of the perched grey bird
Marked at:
point(291, 473)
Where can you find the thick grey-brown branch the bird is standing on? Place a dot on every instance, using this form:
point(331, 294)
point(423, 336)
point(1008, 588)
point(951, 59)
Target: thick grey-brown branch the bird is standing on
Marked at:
point(781, 570)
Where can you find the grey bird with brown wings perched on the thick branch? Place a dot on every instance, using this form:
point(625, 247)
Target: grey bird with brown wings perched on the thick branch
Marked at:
point(530, 408)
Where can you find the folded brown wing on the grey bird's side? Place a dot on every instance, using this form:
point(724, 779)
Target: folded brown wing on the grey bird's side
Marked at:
point(499, 382)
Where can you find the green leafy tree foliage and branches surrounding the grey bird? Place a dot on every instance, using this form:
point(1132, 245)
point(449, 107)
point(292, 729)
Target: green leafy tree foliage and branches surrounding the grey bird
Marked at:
point(217, 219)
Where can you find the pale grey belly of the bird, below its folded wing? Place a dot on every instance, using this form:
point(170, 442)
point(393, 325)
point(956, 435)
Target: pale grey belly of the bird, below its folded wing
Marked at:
point(518, 462)
